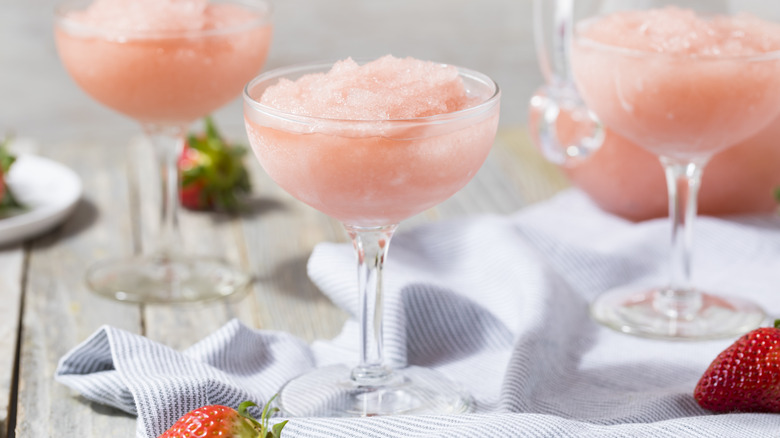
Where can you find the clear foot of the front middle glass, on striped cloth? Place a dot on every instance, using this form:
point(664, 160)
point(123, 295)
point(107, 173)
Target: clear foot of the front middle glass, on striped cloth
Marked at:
point(329, 392)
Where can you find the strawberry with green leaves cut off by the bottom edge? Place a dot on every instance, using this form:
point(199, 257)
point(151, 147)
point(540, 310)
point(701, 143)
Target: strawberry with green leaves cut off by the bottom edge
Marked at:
point(217, 420)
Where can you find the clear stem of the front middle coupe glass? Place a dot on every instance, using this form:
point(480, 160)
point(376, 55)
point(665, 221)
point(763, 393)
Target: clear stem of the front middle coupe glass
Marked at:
point(371, 246)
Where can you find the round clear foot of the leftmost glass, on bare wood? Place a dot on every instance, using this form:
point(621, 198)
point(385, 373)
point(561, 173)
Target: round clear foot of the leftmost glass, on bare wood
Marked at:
point(165, 279)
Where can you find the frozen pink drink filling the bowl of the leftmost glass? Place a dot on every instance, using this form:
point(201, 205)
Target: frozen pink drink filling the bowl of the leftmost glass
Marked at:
point(163, 61)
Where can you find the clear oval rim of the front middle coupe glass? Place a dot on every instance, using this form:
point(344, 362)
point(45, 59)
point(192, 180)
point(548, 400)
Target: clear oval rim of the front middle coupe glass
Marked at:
point(323, 66)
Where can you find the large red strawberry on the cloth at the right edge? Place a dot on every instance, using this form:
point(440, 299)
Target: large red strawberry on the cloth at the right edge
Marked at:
point(746, 376)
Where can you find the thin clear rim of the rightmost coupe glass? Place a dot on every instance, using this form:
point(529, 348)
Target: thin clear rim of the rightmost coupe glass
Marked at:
point(640, 53)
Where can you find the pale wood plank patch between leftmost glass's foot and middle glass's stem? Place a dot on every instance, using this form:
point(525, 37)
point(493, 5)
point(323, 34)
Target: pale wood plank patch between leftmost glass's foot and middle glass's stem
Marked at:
point(279, 242)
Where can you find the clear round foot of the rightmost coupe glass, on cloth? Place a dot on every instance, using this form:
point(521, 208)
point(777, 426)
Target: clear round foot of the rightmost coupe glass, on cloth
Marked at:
point(639, 314)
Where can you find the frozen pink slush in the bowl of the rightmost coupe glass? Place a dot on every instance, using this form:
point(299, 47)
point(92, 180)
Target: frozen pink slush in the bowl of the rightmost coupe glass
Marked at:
point(677, 84)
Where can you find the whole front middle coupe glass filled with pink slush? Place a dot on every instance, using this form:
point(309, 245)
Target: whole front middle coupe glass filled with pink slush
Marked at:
point(371, 145)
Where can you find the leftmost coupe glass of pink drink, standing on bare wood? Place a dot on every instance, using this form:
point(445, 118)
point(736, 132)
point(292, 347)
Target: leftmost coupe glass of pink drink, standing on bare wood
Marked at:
point(165, 80)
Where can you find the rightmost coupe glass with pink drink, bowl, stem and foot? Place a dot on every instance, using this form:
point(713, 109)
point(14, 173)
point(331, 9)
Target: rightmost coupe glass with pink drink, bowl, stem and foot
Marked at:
point(684, 108)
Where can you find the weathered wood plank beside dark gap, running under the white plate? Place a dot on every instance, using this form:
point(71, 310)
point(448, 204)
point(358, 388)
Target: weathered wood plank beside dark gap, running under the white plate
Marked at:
point(59, 311)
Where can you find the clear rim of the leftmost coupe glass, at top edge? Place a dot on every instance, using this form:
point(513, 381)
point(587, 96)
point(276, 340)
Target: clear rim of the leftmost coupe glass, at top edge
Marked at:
point(63, 21)
